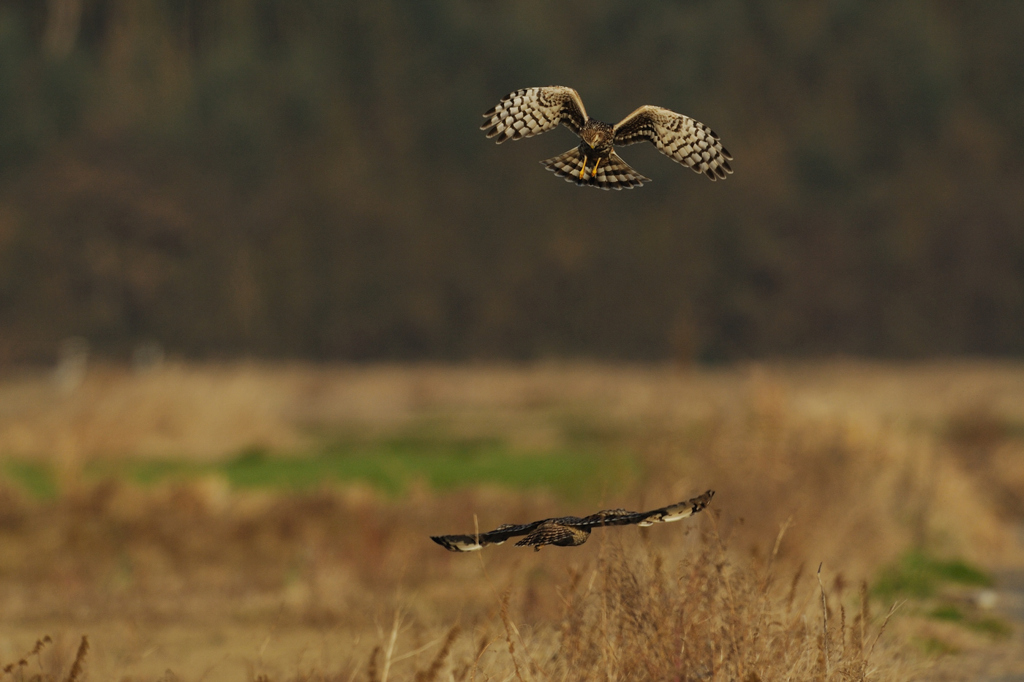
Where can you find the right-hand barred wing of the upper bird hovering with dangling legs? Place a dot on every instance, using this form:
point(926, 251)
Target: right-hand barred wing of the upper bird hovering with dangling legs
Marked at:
point(679, 138)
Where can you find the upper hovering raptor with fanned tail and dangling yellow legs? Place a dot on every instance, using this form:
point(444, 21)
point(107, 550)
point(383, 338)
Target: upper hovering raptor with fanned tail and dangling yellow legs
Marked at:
point(533, 111)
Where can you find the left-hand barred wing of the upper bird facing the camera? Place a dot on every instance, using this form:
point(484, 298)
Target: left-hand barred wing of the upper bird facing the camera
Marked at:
point(533, 111)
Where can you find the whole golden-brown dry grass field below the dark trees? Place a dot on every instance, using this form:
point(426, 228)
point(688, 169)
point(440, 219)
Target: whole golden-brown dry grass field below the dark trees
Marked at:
point(271, 523)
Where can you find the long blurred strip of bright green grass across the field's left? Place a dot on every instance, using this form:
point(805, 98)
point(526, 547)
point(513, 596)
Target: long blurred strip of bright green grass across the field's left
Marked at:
point(389, 465)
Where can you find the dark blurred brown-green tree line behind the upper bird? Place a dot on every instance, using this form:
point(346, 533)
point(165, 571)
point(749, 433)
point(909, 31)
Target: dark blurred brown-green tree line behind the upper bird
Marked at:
point(306, 179)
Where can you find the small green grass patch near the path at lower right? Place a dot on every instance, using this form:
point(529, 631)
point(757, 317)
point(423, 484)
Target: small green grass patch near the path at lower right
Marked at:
point(918, 575)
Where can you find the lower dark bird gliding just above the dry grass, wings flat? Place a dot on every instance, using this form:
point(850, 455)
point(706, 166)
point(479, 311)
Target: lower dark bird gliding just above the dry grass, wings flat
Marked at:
point(572, 531)
